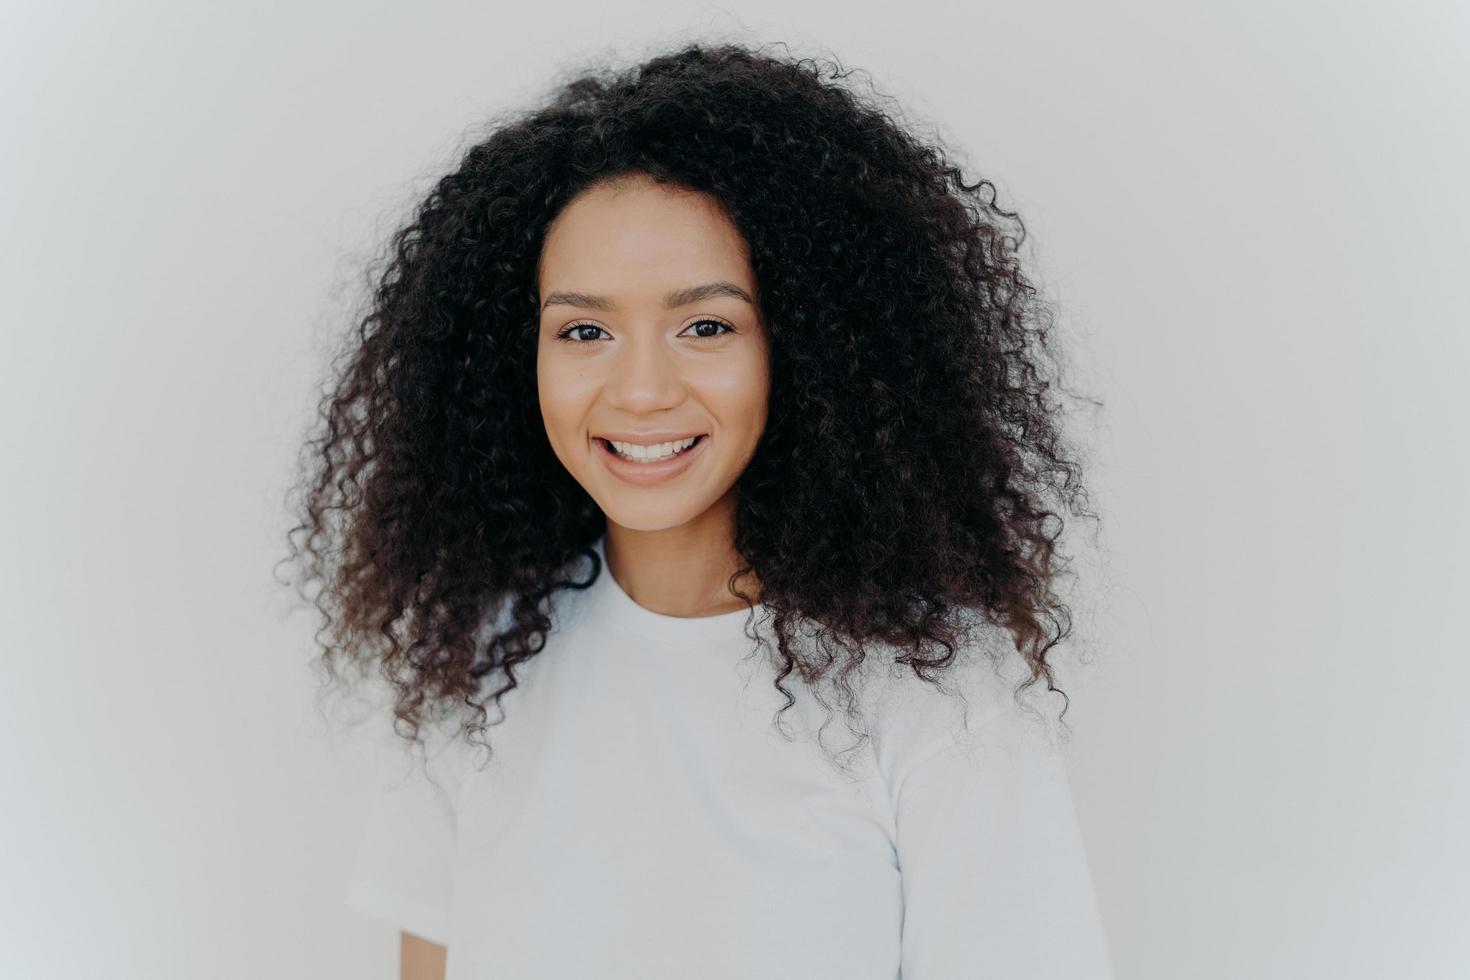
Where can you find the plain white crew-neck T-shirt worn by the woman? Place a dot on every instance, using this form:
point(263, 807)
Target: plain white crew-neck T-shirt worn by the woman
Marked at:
point(642, 818)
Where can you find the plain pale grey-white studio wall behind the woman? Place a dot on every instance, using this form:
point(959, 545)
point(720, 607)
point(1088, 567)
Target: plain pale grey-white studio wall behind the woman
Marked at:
point(1252, 218)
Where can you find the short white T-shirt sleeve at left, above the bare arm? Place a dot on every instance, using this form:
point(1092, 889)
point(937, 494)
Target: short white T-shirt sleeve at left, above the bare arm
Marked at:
point(405, 857)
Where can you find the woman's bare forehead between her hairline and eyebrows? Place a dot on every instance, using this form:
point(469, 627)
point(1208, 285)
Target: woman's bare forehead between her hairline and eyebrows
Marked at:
point(639, 236)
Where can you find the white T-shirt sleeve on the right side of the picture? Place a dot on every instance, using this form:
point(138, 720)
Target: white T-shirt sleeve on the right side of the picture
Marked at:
point(996, 881)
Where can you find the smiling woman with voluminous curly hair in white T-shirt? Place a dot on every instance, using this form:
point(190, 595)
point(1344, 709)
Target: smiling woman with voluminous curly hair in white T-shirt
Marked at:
point(693, 405)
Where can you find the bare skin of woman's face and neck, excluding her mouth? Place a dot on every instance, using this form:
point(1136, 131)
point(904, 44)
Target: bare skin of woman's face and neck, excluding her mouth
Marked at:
point(614, 356)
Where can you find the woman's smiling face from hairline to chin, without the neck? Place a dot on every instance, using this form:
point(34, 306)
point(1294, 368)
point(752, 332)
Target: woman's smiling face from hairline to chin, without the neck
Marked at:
point(650, 334)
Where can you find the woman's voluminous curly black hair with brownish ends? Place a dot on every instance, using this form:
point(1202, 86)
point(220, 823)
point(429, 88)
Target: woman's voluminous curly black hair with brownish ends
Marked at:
point(912, 449)
